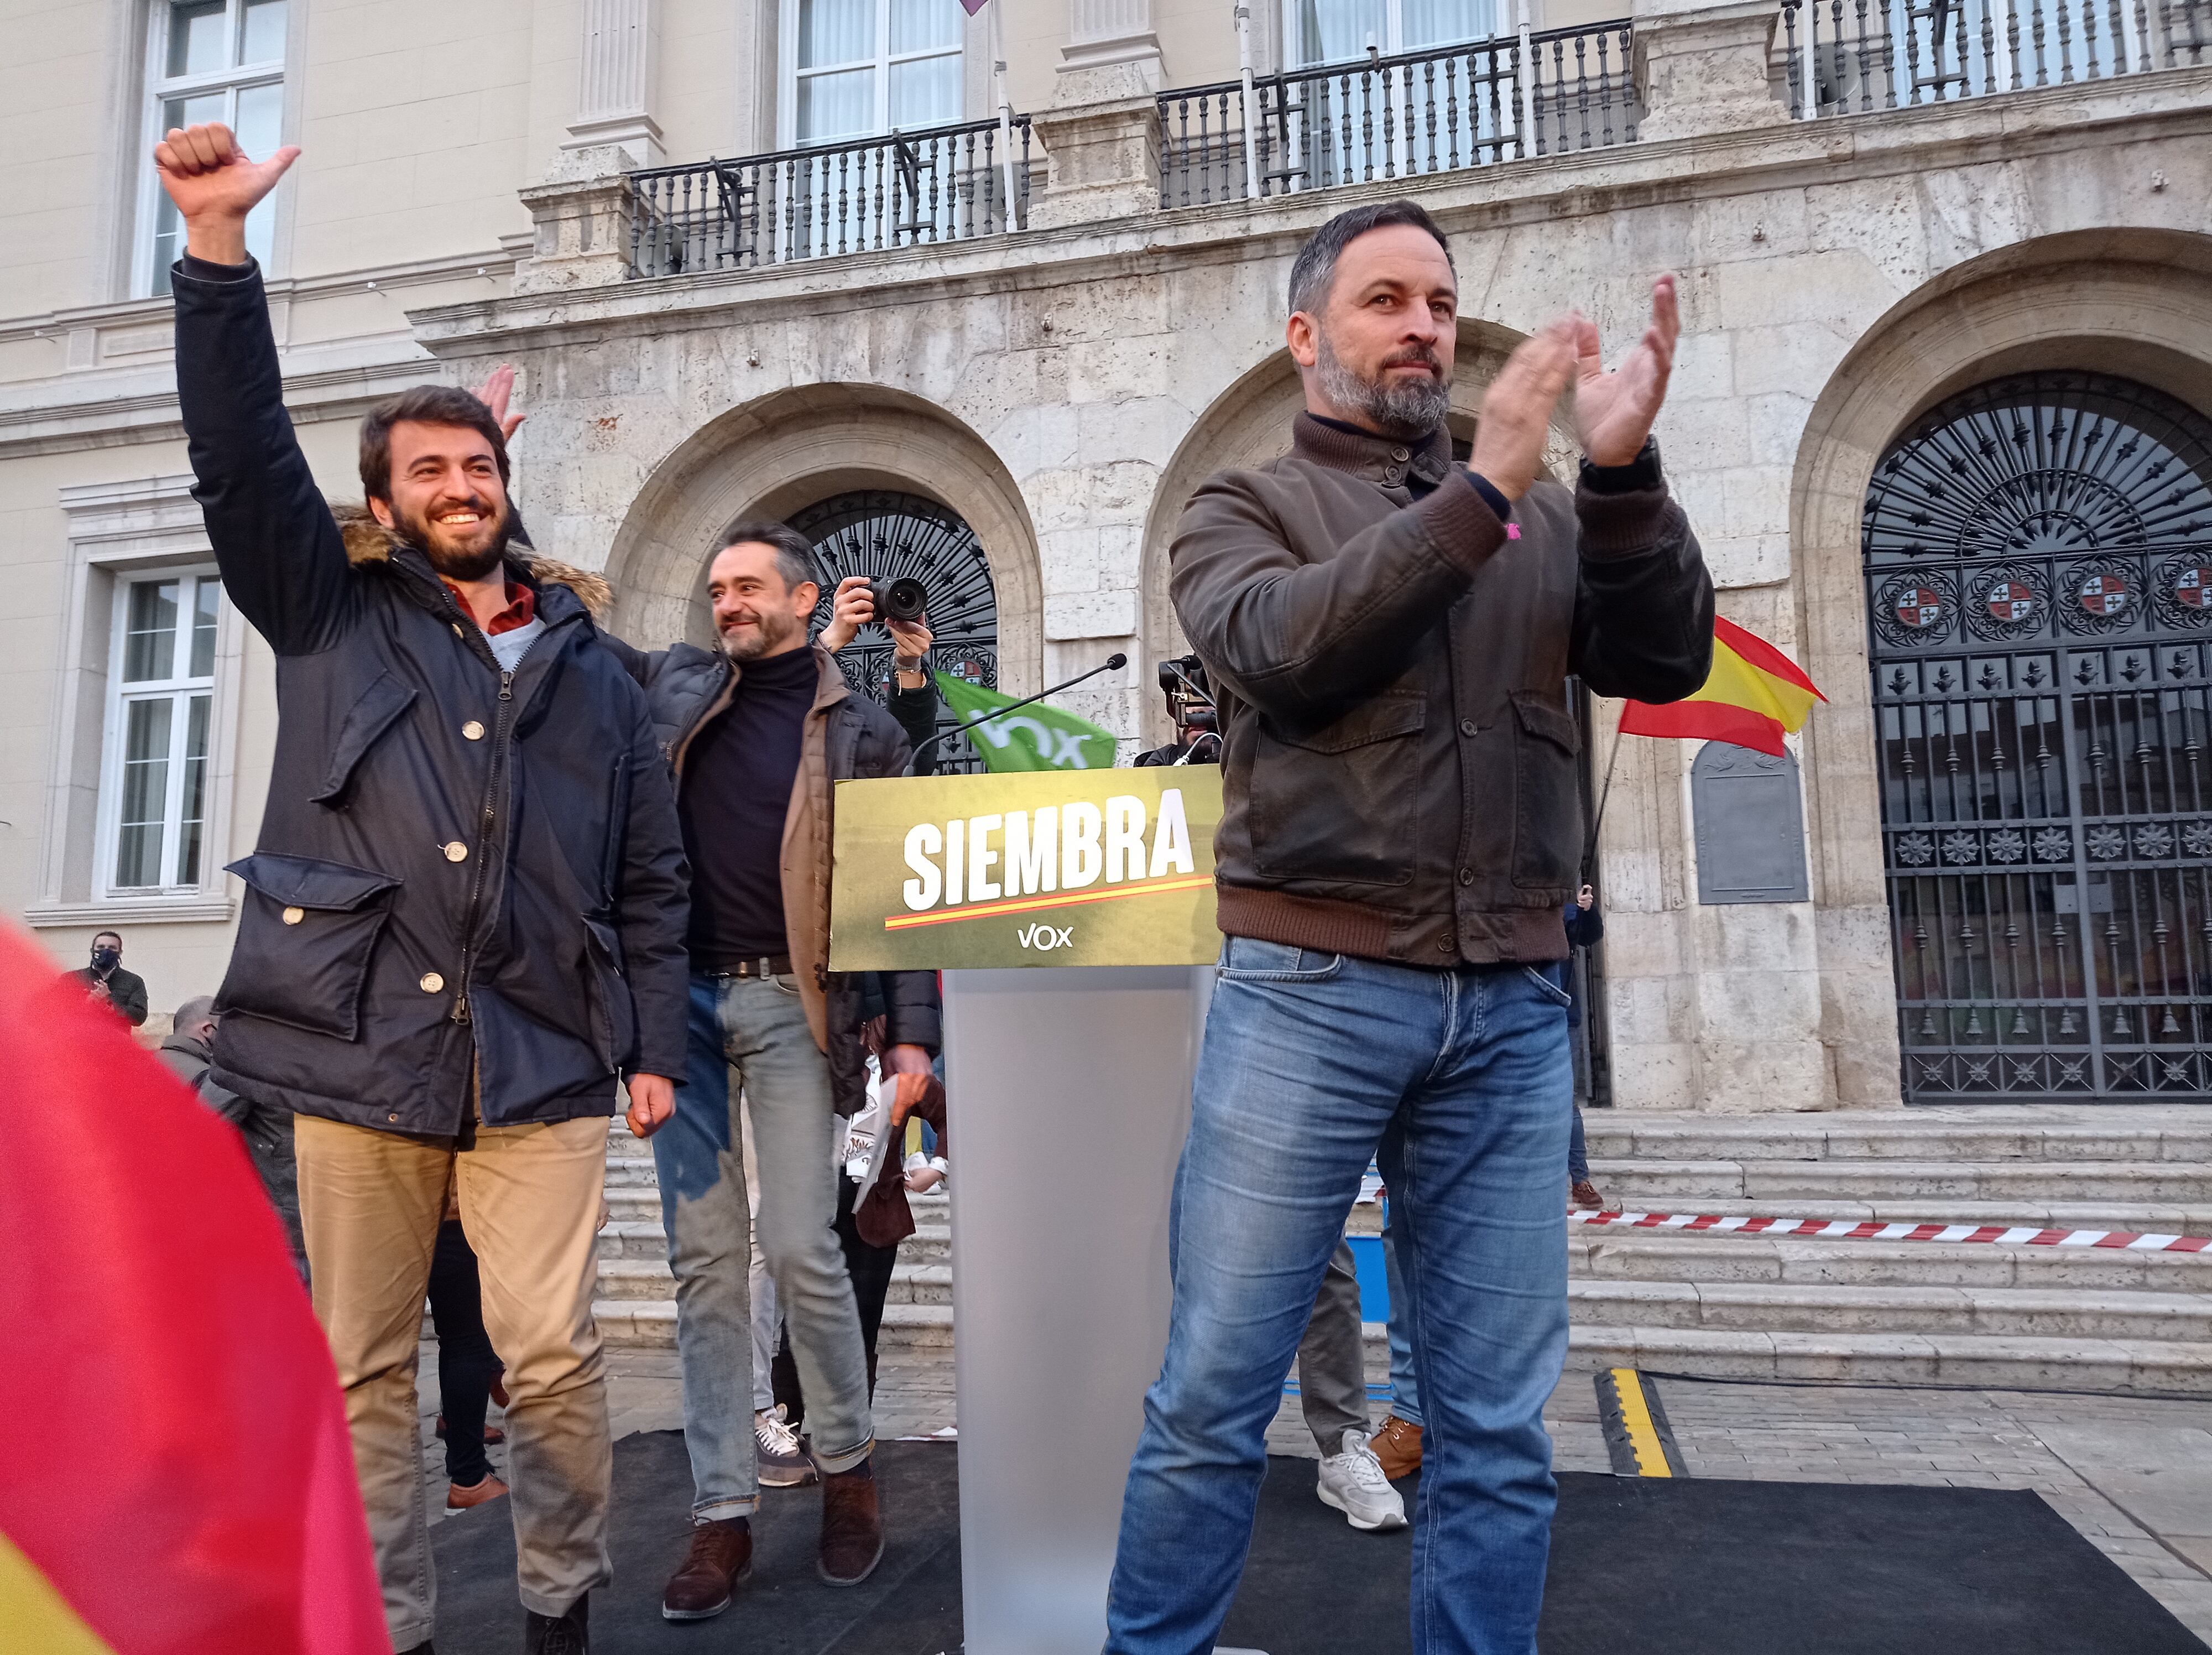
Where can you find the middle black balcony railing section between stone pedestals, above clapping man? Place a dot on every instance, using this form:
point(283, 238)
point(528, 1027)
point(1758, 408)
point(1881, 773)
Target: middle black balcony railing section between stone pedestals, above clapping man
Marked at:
point(1392, 118)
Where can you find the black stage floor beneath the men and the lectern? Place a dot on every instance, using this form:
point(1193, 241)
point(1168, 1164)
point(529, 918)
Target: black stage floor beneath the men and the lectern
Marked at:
point(1638, 1568)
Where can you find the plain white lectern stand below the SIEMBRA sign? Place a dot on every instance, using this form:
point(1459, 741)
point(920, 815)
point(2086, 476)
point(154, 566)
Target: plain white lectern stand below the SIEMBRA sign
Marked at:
point(1072, 1096)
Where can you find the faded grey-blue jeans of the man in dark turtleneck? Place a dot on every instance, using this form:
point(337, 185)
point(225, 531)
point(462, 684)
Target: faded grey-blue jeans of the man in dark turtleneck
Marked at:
point(751, 1034)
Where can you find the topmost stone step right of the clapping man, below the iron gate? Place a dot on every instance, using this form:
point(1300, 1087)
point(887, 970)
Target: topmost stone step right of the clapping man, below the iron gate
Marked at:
point(2041, 1134)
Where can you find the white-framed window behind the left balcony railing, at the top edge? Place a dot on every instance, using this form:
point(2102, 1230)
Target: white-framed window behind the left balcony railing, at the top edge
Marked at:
point(875, 67)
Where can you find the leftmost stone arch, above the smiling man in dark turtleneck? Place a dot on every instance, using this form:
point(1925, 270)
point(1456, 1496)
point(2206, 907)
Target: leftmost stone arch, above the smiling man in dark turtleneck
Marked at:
point(793, 448)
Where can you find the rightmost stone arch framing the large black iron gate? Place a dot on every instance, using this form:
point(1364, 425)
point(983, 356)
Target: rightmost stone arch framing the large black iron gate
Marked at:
point(2107, 300)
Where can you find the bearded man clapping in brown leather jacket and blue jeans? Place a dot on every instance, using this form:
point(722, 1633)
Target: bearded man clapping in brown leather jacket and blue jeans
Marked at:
point(1390, 638)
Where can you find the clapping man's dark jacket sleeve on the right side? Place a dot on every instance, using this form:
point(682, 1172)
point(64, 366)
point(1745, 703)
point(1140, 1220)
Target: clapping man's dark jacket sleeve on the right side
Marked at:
point(1645, 598)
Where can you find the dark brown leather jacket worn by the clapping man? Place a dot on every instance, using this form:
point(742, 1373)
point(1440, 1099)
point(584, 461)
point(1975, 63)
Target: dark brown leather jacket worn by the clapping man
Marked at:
point(1399, 756)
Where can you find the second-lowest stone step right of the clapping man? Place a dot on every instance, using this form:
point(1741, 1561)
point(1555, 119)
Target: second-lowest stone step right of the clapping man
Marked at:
point(1797, 1309)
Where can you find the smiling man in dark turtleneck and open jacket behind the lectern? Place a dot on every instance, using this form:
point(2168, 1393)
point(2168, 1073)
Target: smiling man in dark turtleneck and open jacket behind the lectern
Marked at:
point(758, 733)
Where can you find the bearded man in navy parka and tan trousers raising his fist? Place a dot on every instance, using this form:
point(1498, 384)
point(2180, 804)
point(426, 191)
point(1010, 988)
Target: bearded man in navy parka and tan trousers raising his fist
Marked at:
point(463, 924)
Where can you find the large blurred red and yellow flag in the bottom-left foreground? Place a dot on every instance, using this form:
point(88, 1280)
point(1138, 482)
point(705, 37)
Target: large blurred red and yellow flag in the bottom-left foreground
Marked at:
point(176, 1477)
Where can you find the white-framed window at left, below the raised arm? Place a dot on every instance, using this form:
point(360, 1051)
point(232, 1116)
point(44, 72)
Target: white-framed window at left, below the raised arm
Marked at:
point(163, 705)
